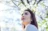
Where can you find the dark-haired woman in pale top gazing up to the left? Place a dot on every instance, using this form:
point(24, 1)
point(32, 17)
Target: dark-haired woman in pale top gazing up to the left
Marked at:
point(29, 21)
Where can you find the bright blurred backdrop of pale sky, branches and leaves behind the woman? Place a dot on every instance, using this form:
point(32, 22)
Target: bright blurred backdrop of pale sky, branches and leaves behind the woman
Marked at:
point(11, 10)
